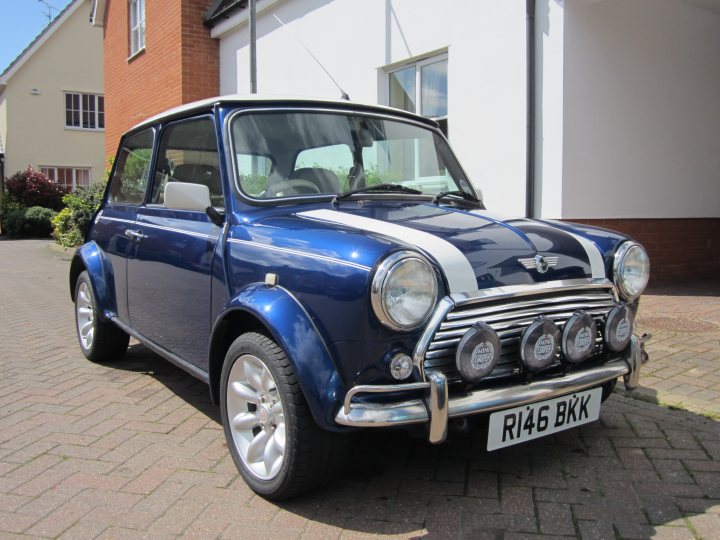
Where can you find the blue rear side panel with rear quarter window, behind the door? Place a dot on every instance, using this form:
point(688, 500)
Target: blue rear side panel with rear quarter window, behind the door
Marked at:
point(117, 219)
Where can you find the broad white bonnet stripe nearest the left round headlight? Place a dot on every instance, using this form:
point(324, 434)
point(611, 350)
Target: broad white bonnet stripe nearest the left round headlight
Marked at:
point(457, 269)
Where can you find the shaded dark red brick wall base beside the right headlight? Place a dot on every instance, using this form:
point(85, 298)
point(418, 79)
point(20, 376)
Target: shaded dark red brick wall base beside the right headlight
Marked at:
point(677, 247)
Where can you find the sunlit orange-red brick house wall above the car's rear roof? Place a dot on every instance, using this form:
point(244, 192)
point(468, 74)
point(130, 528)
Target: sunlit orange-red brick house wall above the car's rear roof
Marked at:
point(180, 63)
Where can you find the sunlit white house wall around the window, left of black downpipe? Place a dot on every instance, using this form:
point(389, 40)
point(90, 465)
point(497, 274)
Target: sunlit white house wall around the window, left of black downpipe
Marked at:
point(485, 42)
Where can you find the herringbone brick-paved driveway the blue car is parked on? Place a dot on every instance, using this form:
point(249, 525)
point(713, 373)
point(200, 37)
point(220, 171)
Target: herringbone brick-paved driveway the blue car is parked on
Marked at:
point(135, 449)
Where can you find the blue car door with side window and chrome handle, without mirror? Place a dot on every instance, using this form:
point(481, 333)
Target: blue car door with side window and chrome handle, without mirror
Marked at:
point(170, 274)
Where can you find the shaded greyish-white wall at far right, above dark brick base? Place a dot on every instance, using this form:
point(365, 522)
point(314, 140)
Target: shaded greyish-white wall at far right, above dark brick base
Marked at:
point(642, 110)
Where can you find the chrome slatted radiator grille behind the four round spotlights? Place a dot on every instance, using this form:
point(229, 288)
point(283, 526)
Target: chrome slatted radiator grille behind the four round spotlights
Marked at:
point(509, 315)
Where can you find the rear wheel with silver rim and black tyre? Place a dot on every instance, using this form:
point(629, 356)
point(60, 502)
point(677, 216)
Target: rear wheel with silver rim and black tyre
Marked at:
point(100, 341)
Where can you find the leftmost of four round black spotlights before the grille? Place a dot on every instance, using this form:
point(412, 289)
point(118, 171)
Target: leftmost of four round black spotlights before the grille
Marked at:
point(478, 352)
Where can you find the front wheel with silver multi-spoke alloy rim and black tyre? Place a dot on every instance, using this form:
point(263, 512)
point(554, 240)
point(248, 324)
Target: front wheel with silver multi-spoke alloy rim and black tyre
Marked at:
point(278, 448)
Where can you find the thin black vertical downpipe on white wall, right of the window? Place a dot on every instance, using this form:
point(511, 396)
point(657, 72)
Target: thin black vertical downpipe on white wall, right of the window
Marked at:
point(530, 137)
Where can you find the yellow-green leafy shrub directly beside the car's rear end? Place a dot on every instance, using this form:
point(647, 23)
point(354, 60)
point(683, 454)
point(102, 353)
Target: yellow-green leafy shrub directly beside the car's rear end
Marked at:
point(71, 225)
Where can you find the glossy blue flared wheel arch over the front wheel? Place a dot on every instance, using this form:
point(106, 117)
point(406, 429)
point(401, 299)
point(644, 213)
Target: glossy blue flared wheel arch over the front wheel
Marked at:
point(275, 312)
